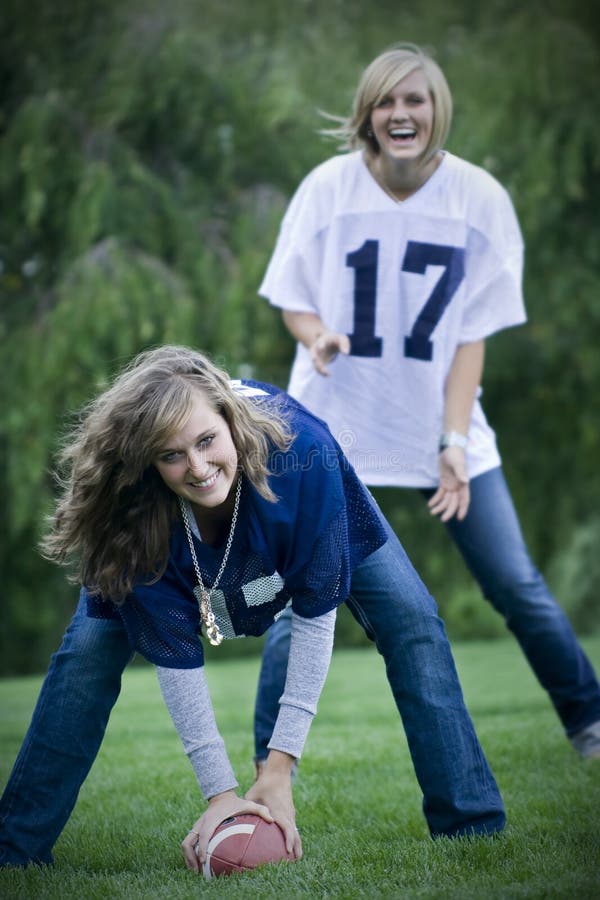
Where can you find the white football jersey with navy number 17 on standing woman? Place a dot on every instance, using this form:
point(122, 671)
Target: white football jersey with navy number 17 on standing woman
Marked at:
point(408, 282)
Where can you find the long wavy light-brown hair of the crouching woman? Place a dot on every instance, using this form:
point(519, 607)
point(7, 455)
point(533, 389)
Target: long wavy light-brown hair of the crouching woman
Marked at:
point(114, 515)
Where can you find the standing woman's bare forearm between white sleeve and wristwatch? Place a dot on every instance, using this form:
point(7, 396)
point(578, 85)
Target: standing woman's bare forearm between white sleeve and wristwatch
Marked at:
point(461, 386)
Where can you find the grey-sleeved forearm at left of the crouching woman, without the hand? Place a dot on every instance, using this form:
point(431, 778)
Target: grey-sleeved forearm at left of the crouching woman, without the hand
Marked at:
point(186, 695)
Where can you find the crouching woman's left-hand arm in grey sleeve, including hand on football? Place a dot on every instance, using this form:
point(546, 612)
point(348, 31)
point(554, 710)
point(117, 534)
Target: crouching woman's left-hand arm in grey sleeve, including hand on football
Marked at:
point(186, 695)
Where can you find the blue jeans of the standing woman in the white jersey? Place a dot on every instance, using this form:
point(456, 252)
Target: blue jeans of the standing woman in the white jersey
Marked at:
point(492, 545)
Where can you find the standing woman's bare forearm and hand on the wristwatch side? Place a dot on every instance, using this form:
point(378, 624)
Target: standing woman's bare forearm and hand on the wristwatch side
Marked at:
point(452, 496)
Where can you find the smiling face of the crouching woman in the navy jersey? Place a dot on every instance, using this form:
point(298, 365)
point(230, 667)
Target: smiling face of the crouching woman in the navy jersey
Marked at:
point(199, 461)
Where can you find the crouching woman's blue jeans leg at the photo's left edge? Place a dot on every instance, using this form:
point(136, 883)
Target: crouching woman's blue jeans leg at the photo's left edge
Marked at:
point(67, 728)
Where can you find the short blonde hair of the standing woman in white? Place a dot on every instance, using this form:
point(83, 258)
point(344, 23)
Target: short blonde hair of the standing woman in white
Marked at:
point(377, 80)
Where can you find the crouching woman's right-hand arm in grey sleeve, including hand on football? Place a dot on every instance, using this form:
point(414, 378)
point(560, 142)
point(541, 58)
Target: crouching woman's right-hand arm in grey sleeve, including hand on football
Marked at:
point(308, 664)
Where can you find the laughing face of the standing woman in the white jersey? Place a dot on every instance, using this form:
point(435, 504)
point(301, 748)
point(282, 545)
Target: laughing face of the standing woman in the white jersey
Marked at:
point(402, 121)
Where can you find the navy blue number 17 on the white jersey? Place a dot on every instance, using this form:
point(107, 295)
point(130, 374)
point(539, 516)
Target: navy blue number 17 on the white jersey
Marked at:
point(418, 256)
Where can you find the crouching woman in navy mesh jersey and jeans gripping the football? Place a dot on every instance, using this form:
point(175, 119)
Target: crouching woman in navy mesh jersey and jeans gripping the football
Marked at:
point(196, 505)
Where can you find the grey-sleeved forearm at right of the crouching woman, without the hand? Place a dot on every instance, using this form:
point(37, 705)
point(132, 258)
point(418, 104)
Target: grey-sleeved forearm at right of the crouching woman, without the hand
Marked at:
point(310, 655)
